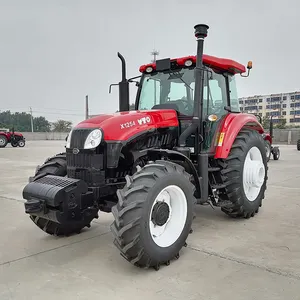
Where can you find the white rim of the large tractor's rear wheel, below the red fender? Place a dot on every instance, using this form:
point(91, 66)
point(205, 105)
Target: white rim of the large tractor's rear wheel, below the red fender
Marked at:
point(253, 173)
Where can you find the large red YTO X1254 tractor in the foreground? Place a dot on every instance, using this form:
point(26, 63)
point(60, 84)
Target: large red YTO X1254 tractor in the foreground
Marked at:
point(186, 143)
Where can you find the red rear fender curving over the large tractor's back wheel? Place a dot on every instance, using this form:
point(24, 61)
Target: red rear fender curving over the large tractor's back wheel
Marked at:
point(230, 128)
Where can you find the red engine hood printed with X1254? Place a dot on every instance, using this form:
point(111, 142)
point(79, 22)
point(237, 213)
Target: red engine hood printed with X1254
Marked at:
point(122, 126)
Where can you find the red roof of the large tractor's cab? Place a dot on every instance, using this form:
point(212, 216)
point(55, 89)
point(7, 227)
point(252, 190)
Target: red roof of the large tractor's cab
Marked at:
point(222, 64)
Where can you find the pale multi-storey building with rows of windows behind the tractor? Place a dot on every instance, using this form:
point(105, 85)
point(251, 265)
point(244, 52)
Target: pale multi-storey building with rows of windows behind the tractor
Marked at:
point(286, 105)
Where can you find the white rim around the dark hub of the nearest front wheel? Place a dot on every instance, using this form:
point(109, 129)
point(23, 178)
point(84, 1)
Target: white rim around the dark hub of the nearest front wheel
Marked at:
point(167, 234)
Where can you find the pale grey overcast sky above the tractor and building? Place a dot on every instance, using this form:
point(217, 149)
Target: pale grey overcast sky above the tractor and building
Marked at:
point(53, 53)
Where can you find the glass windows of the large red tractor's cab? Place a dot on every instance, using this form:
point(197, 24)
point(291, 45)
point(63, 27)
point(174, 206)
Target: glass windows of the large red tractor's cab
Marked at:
point(175, 90)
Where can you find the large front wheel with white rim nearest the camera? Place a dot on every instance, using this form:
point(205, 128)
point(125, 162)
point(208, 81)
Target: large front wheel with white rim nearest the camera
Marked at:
point(154, 214)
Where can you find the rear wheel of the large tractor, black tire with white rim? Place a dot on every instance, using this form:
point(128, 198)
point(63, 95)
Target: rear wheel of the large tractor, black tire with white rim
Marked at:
point(245, 174)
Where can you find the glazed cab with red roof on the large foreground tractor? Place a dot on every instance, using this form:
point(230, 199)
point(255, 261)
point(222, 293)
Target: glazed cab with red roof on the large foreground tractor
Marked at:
point(170, 84)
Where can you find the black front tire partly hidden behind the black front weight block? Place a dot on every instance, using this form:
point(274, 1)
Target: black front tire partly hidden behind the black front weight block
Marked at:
point(56, 165)
